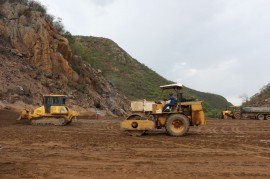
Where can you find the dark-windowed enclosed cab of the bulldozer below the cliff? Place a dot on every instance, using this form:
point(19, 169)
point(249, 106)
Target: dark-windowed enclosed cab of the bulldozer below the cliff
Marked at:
point(53, 100)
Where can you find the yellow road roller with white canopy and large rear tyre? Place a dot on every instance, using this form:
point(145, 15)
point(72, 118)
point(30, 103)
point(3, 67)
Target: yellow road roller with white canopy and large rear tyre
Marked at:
point(176, 119)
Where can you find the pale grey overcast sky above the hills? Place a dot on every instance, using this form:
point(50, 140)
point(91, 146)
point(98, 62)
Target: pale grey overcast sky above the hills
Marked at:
point(216, 46)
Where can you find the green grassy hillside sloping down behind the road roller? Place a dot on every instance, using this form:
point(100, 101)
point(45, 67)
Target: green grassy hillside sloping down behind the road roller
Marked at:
point(134, 79)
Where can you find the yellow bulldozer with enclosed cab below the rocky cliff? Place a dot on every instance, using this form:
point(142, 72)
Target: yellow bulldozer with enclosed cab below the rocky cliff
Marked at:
point(53, 112)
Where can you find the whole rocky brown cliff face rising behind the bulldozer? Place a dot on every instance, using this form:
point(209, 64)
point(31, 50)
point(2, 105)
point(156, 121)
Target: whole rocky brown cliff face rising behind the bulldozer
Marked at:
point(35, 59)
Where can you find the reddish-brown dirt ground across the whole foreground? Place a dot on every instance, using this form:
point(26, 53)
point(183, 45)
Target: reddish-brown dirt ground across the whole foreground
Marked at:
point(92, 148)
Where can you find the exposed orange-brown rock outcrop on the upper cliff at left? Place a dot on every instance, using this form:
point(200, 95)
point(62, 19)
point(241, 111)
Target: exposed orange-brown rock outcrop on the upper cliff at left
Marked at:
point(35, 38)
